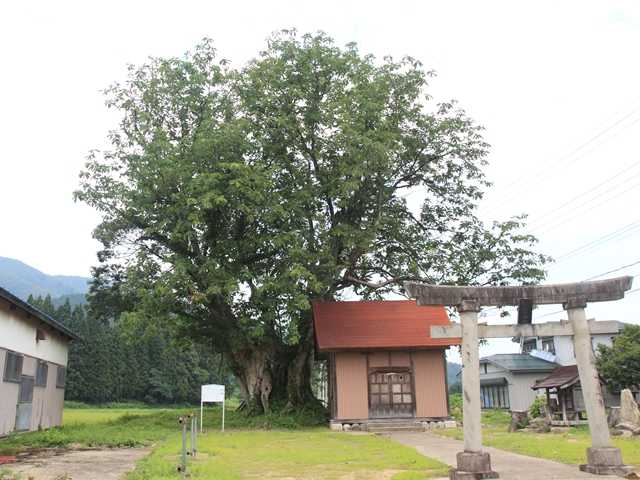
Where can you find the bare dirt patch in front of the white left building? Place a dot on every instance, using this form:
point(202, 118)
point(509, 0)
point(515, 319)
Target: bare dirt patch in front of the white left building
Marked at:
point(107, 464)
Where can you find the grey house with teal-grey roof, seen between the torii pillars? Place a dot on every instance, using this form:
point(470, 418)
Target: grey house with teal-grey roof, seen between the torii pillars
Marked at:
point(506, 379)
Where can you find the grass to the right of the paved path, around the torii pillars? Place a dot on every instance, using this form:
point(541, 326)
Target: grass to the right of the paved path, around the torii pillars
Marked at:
point(567, 447)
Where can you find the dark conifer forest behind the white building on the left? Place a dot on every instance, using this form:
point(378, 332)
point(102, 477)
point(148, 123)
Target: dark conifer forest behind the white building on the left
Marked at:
point(116, 362)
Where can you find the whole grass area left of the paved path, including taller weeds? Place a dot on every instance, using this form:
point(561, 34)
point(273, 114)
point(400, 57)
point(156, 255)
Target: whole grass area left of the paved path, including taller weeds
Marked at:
point(271, 446)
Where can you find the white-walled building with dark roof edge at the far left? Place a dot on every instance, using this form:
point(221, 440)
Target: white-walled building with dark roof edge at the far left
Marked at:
point(33, 359)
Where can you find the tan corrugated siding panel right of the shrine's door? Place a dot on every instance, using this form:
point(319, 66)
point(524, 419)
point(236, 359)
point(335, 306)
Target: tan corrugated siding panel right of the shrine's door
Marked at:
point(429, 377)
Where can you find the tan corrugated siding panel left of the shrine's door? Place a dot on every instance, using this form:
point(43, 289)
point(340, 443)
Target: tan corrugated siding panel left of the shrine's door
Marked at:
point(351, 381)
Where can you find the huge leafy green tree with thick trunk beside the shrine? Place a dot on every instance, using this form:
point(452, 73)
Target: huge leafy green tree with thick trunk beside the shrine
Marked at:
point(232, 198)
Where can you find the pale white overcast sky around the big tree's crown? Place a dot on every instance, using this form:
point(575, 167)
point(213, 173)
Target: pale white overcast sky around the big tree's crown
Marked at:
point(556, 85)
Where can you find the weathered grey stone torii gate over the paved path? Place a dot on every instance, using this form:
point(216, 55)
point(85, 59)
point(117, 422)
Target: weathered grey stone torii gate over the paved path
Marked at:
point(473, 462)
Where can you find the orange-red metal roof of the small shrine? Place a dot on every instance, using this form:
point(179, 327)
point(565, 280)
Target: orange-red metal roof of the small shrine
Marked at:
point(388, 324)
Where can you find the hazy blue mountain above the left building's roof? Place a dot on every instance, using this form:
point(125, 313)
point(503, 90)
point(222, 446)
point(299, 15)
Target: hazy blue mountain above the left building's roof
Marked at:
point(23, 280)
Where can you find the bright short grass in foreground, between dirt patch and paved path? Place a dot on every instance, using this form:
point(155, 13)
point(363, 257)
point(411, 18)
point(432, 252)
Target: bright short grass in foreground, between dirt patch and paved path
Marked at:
point(307, 454)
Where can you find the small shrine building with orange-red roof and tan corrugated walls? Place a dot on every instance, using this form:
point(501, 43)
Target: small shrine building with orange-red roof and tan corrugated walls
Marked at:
point(382, 361)
